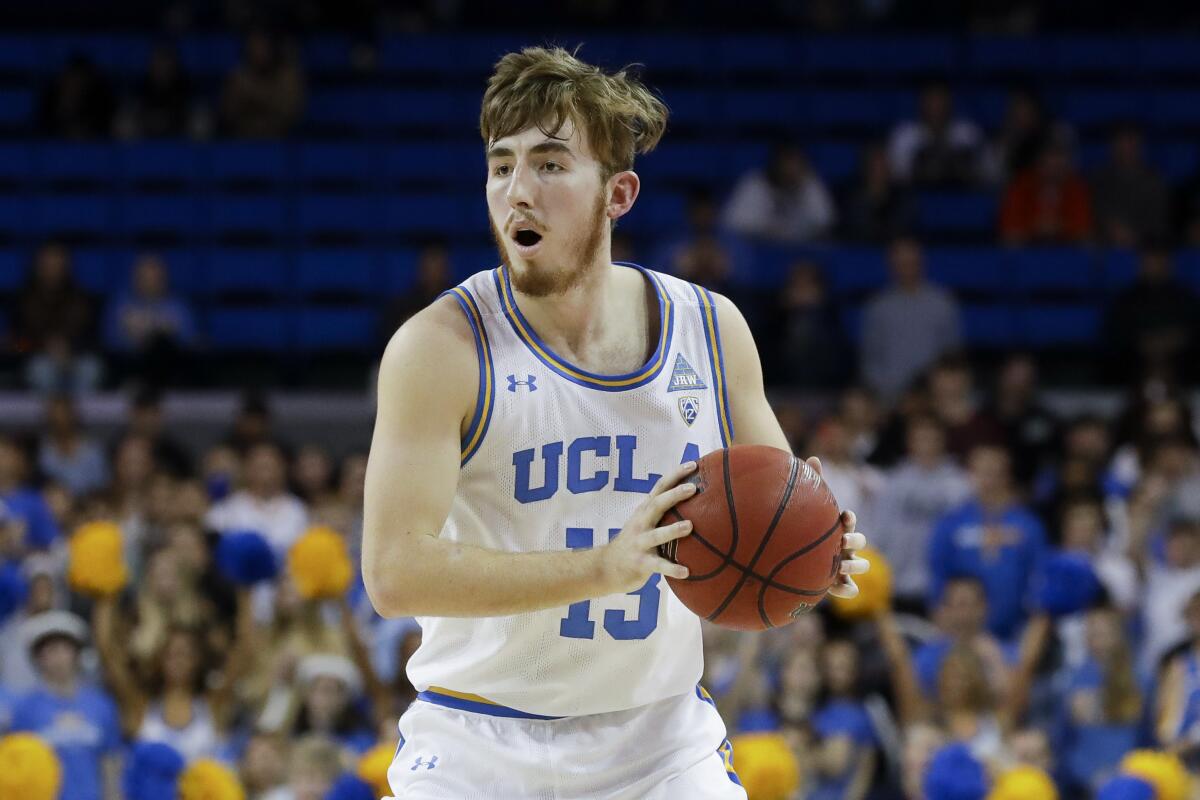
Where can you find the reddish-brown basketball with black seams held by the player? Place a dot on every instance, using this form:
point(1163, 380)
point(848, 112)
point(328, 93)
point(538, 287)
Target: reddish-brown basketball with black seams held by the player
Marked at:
point(766, 540)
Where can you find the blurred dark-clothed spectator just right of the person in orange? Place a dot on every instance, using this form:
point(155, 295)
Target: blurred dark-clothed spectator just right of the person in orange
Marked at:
point(1130, 197)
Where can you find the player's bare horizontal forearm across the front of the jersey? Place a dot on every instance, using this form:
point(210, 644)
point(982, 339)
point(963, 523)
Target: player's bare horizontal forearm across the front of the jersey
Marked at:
point(424, 576)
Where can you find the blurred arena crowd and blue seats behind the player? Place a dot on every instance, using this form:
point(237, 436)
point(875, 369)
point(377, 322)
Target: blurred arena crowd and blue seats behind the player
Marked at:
point(968, 240)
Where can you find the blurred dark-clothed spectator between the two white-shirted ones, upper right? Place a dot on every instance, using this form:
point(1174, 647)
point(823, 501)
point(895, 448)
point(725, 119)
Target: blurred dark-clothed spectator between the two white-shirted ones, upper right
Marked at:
point(878, 209)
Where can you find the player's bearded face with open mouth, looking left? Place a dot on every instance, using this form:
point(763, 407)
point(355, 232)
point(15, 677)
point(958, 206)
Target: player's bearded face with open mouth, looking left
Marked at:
point(548, 208)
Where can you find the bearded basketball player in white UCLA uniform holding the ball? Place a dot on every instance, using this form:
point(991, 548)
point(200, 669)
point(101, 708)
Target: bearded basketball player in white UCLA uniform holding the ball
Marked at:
point(533, 426)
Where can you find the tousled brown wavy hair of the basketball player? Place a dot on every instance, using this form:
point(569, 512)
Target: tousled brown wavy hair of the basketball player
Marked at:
point(545, 87)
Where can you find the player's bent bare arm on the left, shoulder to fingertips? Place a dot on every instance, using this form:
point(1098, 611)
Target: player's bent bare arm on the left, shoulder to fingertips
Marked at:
point(428, 390)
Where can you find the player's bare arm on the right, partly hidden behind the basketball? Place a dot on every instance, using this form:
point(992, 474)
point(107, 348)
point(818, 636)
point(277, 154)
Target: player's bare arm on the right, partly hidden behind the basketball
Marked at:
point(755, 424)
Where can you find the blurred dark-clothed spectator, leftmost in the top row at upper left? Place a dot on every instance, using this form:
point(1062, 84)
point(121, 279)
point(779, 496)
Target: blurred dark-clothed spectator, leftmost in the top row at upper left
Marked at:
point(79, 104)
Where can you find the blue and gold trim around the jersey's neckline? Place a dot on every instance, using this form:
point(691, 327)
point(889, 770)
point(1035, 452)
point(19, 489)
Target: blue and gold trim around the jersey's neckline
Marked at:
point(641, 377)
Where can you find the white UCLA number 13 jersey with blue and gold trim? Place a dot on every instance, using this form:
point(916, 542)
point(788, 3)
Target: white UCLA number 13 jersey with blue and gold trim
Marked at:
point(557, 458)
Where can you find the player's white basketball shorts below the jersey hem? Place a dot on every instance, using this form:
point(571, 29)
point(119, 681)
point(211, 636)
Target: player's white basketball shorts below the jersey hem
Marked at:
point(461, 748)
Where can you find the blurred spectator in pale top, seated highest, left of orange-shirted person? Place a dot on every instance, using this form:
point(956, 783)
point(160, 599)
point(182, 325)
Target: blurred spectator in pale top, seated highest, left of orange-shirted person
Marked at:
point(937, 149)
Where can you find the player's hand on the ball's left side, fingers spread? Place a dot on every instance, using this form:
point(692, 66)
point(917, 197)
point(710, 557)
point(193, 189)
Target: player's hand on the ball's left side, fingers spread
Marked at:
point(633, 557)
